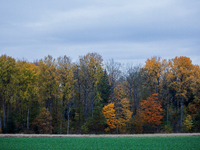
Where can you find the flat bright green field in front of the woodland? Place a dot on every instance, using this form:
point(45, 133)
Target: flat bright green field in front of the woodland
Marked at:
point(51, 143)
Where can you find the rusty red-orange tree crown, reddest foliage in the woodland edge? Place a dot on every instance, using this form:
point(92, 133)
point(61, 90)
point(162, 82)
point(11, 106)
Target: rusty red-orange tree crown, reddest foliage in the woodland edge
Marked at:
point(151, 110)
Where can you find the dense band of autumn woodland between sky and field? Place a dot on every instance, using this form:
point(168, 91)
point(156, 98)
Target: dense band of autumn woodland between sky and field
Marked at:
point(92, 96)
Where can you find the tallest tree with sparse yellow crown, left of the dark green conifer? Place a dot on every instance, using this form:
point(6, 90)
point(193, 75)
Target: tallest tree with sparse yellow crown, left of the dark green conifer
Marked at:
point(91, 71)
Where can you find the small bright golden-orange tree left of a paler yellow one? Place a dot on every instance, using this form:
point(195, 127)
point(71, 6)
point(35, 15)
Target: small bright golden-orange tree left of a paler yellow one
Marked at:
point(109, 113)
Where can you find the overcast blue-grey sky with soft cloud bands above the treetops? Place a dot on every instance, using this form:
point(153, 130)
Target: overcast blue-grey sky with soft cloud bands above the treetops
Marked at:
point(128, 31)
